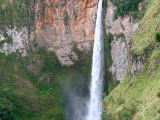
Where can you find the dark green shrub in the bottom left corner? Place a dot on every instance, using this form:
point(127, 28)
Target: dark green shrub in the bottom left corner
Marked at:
point(10, 107)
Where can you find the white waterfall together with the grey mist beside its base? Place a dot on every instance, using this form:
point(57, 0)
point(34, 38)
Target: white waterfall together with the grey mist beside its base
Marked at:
point(80, 105)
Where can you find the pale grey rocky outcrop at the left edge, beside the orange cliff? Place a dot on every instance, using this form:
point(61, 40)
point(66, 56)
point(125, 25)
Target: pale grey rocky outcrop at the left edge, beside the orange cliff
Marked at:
point(20, 41)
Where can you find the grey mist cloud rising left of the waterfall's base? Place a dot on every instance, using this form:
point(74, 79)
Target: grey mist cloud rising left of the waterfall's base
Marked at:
point(76, 97)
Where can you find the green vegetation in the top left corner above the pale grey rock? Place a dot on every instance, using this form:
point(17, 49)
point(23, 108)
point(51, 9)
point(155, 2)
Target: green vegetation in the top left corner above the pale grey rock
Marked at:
point(16, 13)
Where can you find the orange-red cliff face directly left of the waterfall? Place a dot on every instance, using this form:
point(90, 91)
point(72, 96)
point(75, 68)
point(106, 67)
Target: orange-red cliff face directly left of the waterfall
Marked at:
point(59, 24)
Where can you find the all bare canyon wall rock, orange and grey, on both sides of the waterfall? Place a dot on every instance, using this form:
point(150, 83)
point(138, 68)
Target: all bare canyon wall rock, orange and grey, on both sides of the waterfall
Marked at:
point(60, 25)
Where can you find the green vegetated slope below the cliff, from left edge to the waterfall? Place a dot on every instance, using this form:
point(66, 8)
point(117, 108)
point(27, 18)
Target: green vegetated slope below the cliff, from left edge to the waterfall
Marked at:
point(31, 86)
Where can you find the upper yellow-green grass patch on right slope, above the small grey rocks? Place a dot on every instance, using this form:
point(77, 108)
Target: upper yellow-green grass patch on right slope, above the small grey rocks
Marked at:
point(144, 38)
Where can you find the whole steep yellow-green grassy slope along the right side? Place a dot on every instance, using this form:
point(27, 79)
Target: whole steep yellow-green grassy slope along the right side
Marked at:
point(143, 88)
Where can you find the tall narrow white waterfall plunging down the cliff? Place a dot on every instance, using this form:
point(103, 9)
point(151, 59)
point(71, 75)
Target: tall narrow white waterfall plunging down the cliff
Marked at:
point(97, 73)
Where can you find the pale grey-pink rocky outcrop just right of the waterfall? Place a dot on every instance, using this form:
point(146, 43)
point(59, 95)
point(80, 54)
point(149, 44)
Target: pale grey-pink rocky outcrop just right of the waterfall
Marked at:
point(124, 27)
